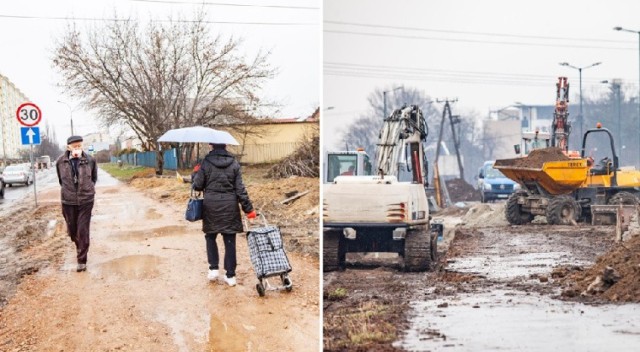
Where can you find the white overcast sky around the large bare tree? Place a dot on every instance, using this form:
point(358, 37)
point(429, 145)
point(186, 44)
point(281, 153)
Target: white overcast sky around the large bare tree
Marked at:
point(27, 47)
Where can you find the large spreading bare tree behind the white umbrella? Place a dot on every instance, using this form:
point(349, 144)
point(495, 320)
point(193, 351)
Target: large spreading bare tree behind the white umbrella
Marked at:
point(160, 76)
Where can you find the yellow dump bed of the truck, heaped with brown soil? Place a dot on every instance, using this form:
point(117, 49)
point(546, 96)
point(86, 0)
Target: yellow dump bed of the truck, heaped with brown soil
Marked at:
point(547, 168)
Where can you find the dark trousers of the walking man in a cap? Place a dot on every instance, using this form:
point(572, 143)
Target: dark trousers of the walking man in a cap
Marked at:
point(78, 219)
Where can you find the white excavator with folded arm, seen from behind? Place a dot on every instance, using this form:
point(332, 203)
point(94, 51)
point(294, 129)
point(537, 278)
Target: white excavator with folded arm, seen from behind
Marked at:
point(388, 211)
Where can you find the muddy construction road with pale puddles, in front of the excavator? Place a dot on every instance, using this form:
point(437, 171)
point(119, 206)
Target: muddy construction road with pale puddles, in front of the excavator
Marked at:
point(495, 288)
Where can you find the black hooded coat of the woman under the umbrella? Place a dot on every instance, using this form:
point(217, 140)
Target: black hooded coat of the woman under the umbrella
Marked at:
point(220, 178)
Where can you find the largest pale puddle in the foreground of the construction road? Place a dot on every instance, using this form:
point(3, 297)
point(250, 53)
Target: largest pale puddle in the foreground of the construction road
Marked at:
point(512, 321)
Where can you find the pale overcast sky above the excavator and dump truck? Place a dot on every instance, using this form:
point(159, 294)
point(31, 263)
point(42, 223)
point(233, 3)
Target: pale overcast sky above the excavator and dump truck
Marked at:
point(488, 54)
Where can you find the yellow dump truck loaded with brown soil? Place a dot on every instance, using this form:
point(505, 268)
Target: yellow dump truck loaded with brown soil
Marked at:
point(567, 189)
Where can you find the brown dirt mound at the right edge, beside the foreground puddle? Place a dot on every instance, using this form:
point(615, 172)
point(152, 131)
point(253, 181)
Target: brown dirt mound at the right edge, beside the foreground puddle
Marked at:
point(614, 277)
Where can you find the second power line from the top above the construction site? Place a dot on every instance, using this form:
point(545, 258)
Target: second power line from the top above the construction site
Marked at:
point(383, 35)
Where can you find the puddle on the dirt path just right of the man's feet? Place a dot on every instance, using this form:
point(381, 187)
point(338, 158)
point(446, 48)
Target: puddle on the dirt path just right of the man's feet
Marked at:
point(132, 267)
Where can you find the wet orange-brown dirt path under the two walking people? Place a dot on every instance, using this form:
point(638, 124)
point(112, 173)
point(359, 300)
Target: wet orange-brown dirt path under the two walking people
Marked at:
point(145, 289)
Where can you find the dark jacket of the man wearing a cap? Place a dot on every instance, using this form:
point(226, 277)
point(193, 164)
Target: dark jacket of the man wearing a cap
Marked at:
point(82, 192)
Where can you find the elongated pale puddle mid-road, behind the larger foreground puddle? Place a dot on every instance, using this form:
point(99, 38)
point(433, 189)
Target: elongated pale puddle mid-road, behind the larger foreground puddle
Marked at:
point(510, 266)
